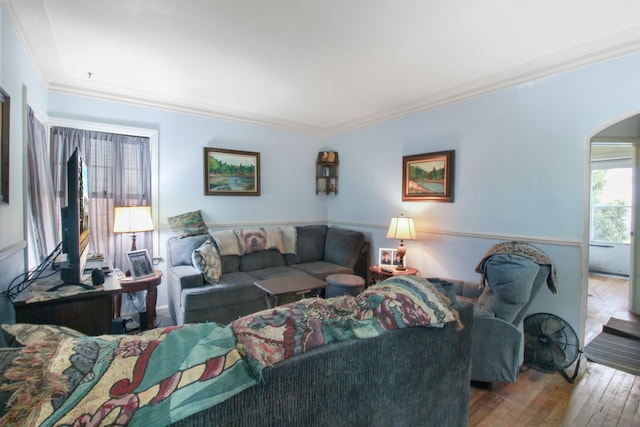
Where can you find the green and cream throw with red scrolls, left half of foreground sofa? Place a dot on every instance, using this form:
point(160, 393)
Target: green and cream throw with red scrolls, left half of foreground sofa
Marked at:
point(153, 378)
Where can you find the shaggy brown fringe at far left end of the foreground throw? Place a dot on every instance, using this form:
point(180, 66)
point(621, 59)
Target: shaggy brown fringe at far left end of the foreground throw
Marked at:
point(31, 384)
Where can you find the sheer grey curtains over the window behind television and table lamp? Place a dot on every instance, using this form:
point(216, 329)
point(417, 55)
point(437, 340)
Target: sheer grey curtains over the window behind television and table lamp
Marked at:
point(119, 173)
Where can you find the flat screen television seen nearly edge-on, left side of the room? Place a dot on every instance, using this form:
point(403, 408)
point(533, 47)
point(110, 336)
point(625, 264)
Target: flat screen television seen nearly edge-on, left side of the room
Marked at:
point(75, 221)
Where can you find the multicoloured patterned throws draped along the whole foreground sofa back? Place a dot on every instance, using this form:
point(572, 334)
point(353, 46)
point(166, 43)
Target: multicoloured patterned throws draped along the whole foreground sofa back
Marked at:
point(163, 375)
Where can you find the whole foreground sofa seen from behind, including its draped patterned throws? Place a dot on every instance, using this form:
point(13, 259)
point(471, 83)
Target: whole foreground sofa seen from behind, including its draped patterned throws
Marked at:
point(411, 372)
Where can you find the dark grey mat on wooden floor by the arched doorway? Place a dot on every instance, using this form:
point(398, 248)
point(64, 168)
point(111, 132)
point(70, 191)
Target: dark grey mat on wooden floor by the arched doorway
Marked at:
point(617, 346)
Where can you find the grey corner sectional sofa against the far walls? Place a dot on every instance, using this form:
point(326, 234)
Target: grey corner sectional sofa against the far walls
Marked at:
point(316, 250)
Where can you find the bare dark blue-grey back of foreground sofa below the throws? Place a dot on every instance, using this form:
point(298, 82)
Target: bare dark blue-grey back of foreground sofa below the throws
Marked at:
point(408, 377)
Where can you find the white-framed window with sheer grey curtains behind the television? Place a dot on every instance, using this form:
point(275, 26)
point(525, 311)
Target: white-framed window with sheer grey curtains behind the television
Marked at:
point(122, 166)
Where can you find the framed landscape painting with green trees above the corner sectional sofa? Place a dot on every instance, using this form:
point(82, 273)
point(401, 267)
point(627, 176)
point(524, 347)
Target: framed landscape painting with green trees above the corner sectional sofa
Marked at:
point(231, 172)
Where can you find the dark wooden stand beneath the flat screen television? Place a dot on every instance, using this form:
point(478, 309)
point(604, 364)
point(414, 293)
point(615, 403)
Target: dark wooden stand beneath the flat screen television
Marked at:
point(85, 308)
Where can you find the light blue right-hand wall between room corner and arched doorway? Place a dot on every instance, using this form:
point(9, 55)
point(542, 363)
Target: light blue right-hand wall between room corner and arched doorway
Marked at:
point(521, 155)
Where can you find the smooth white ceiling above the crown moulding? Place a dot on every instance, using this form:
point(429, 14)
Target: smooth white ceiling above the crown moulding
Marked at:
point(322, 67)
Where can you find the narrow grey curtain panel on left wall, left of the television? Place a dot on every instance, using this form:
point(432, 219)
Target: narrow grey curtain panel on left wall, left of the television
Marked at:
point(43, 231)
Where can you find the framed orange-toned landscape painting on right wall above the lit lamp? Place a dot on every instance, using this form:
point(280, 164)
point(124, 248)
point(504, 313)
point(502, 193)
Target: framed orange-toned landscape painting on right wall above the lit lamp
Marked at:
point(428, 177)
